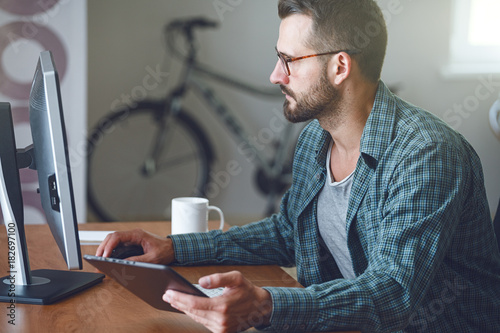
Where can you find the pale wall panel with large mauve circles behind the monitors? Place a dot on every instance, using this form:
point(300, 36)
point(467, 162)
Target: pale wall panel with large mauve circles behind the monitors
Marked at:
point(26, 29)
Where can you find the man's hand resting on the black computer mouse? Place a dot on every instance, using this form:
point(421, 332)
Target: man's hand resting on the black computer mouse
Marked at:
point(158, 250)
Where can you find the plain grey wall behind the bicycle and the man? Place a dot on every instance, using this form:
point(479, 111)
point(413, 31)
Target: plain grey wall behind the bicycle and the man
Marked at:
point(125, 38)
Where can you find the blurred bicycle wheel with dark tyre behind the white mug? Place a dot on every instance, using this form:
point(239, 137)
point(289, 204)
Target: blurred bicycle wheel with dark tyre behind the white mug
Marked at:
point(122, 183)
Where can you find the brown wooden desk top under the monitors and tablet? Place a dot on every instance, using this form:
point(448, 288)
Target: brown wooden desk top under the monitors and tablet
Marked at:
point(108, 307)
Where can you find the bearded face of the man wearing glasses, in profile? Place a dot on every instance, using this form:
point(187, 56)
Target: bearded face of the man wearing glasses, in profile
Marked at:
point(309, 93)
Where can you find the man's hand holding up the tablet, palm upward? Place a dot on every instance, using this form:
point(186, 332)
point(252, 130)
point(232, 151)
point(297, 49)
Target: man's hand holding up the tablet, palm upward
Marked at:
point(242, 305)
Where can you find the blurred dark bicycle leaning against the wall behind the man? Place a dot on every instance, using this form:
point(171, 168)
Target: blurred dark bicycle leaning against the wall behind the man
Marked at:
point(168, 144)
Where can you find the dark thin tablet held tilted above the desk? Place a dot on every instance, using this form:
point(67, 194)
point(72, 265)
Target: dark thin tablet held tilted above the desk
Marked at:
point(148, 281)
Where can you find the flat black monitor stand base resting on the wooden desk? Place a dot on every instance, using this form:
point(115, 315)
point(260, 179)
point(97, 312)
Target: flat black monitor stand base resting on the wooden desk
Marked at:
point(48, 286)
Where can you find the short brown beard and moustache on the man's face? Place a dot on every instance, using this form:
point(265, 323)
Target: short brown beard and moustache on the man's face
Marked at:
point(320, 99)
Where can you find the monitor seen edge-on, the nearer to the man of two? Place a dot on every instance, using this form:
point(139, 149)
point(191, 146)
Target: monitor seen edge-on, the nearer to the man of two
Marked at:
point(52, 161)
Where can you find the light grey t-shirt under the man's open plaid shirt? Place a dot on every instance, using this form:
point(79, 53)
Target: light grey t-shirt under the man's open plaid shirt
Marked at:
point(332, 213)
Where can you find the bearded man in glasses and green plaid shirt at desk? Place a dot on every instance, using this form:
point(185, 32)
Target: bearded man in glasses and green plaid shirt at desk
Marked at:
point(386, 220)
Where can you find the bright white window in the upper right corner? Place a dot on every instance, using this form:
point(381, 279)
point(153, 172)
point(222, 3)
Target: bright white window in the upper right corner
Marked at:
point(475, 37)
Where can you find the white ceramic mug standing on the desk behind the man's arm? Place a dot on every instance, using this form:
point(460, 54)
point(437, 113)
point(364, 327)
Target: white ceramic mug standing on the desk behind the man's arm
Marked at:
point(190, 214)
